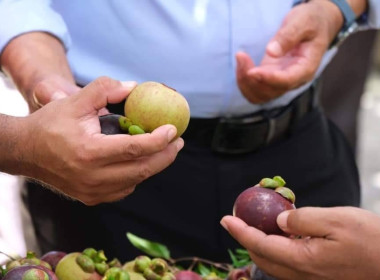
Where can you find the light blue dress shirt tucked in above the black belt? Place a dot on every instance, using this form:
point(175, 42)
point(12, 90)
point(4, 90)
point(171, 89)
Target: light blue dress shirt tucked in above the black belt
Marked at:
point(189, 45)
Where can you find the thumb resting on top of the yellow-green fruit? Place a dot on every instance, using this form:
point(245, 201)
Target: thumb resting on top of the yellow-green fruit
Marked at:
point(97, 94)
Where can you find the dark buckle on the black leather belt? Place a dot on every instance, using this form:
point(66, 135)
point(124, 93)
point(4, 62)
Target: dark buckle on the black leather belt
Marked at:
point(240, 135)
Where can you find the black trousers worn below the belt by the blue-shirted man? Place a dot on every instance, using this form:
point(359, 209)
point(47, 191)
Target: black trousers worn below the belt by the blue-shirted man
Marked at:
point(181, 207)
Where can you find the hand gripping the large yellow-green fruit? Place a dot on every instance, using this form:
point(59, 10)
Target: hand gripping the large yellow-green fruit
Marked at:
point(66, 150)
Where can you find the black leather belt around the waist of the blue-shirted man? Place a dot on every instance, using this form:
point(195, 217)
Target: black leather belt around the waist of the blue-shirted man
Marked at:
point(244, 134)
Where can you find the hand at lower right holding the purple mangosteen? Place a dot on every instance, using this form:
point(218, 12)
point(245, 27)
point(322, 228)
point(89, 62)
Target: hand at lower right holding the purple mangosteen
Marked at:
point(337, 243)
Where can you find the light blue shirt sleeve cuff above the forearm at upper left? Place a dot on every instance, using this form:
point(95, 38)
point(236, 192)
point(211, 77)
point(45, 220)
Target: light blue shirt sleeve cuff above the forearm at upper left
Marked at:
point(22, 16)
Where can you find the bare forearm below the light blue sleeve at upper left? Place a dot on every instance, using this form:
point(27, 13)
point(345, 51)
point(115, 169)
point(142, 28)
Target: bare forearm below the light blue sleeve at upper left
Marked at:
point(32, 57)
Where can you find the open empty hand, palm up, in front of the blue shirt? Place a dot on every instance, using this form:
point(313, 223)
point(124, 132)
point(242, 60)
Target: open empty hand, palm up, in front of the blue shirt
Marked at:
point(293, 55)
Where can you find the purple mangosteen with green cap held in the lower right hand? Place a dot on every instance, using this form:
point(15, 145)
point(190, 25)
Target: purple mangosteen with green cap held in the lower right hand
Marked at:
point(260, 205)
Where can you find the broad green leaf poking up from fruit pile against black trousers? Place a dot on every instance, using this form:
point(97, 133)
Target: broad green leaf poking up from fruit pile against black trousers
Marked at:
point(153, 249)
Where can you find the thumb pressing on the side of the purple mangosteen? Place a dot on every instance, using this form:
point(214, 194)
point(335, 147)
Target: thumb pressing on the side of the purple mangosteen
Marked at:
point(307, 221)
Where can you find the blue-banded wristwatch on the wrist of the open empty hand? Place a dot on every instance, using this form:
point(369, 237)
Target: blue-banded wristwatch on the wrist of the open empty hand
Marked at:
point(350, 24)
